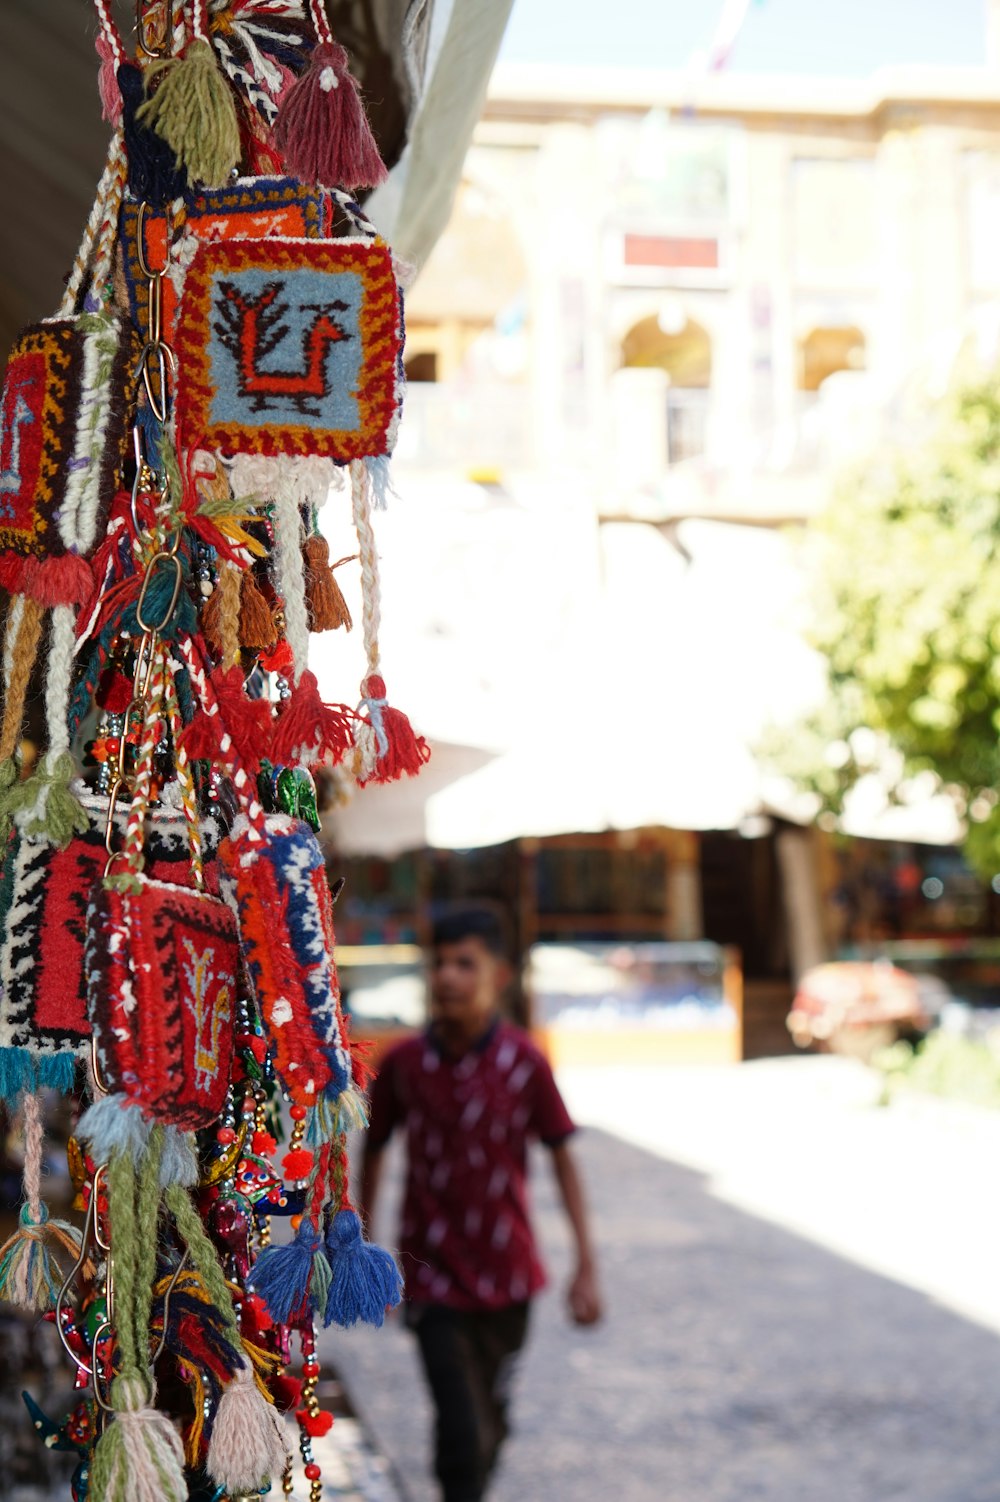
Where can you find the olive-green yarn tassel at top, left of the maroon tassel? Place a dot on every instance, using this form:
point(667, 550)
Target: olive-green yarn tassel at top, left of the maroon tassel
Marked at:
point(193, 110)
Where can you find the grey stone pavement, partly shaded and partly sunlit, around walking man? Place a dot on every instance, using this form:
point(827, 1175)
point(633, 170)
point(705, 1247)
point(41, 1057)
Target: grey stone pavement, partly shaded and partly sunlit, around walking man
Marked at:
point(741, 1359)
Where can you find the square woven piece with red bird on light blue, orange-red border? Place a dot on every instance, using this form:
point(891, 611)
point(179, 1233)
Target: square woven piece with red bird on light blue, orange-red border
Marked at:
point(291, 348)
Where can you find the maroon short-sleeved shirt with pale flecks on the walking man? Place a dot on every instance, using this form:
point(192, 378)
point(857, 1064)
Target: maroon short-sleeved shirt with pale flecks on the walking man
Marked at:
point(466, 1238)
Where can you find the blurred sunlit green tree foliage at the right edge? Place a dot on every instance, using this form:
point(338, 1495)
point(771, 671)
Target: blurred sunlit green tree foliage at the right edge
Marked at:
point(906, 602)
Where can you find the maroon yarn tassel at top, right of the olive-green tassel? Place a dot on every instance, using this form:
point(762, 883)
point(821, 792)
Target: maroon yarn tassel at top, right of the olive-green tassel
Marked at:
point(324, 131)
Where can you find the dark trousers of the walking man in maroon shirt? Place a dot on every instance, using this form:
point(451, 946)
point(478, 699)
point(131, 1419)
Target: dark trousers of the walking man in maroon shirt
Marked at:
point(469, 1360)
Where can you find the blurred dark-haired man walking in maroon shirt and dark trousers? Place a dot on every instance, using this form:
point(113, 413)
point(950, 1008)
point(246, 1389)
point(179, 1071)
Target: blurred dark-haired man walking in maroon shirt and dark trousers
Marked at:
point(471, 1094)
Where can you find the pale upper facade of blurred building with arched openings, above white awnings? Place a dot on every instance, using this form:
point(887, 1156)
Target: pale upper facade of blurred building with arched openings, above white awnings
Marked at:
point(705, 295)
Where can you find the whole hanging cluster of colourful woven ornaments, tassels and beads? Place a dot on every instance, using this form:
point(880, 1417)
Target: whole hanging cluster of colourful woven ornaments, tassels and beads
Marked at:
point(227, 352)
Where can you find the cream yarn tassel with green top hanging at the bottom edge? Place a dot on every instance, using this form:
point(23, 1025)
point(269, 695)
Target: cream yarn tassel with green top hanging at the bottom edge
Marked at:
point(139, 1458)
